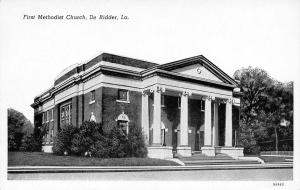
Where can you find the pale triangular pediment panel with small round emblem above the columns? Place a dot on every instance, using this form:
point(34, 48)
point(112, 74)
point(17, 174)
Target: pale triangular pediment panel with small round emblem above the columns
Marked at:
point(197, 70)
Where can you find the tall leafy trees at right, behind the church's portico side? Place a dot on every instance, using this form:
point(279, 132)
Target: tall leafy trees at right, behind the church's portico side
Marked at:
point(266, 111)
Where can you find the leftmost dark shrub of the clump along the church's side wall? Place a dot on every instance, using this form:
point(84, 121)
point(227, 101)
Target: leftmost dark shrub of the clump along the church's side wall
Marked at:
point(63, 141)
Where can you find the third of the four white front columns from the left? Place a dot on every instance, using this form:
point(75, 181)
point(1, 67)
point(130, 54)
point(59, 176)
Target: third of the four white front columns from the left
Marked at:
point(207, 122)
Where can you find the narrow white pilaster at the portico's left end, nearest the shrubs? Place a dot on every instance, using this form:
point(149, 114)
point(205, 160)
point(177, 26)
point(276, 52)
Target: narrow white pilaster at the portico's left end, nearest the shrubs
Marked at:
point(145, 116)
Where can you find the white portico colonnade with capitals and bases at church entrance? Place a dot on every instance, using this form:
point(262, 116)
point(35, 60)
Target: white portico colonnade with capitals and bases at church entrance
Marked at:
point(211, 121)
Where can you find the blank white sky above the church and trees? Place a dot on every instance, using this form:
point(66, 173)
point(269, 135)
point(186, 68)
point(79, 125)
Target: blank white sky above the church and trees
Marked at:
point(231, 34)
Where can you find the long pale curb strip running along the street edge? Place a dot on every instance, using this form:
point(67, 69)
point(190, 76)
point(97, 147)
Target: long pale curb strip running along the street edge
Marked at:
point(85, 169)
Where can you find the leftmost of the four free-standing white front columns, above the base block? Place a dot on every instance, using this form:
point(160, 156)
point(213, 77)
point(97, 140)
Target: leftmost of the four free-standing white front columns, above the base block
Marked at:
point(157, 117)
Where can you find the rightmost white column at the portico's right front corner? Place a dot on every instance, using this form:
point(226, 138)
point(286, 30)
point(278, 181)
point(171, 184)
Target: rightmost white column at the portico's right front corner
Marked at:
point(228, 123)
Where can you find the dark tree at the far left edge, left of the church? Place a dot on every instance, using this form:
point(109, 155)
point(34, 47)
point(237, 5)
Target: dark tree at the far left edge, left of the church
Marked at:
point(18, 127)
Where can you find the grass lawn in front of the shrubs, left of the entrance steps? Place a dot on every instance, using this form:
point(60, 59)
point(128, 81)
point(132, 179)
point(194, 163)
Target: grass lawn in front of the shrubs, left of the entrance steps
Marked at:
point(48, 159)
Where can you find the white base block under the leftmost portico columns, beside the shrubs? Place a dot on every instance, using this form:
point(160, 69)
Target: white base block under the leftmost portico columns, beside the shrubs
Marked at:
point(161, 152)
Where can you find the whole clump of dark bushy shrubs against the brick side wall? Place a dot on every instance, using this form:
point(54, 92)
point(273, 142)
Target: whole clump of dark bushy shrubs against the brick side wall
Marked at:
point(91, 140)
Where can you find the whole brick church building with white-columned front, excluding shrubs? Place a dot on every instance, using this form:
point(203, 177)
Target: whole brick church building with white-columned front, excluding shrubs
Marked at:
point(184, 106)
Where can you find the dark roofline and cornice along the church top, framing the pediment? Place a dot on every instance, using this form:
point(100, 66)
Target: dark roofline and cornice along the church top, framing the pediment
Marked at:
point(146, 69)
